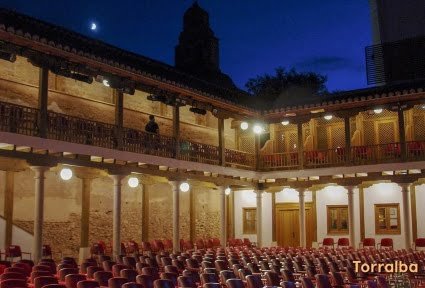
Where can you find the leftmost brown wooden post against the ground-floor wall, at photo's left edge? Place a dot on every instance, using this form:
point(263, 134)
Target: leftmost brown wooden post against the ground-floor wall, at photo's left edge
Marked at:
point(8, 206)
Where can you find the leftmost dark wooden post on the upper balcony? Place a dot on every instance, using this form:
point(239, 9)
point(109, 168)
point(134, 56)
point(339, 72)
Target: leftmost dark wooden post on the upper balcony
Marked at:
point(43, 86)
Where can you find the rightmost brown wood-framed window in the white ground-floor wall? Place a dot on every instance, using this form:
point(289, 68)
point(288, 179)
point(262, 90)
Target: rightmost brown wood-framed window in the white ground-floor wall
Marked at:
point(387, 218)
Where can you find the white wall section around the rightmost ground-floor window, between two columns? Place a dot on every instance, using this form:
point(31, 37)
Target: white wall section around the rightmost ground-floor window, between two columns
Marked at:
point(380, 194)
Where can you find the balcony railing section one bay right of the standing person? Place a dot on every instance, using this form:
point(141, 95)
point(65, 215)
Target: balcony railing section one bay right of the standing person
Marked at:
point(198, 152)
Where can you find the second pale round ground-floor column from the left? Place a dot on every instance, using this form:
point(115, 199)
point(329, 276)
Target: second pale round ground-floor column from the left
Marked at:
point(116, 214)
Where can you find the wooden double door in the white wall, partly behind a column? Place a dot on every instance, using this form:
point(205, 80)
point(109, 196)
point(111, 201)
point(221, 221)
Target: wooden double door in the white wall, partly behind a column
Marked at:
point(287, 225)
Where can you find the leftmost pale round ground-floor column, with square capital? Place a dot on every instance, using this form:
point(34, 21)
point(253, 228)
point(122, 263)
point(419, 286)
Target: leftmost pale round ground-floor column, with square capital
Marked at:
point(38, 211)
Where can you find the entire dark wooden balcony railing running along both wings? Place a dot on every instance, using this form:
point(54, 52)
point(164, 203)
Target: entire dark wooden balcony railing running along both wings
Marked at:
point(24, 120)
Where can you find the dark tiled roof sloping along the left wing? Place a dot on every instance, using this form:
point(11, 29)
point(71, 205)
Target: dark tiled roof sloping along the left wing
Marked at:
point(69, 41)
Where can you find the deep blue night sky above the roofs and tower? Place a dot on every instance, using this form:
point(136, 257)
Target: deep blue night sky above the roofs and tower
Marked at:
point(326, 36)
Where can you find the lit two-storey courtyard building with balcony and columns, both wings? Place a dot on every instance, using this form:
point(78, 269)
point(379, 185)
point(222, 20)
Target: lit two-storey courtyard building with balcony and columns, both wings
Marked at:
point(348, 166)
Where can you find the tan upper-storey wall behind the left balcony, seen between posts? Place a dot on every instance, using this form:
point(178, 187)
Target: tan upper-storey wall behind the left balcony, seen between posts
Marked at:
point(19, 85)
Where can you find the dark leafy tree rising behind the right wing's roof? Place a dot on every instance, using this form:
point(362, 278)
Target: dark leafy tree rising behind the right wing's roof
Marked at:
point(286, 88)
